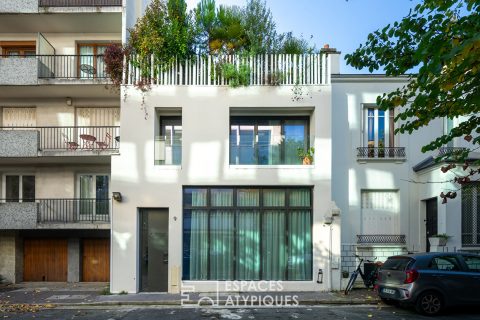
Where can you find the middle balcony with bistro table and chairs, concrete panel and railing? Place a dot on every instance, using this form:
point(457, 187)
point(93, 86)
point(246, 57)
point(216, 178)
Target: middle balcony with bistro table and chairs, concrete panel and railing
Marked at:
point(59, 141)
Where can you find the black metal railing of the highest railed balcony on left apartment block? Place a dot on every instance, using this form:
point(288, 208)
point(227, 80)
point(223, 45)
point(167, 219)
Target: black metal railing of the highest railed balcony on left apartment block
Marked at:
point(71, 67)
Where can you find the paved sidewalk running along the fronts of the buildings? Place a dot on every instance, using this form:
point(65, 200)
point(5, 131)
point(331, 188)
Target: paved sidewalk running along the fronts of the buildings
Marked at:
point(93, 294)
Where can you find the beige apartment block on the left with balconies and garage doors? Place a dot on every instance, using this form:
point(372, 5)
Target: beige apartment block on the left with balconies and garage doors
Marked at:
point(59, 126)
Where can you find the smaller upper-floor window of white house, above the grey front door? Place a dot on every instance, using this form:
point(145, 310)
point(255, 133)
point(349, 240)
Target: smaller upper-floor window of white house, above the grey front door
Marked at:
point(168, 145)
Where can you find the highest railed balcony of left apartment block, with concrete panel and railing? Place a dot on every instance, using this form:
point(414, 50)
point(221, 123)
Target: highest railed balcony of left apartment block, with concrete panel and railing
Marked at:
point(48, 69)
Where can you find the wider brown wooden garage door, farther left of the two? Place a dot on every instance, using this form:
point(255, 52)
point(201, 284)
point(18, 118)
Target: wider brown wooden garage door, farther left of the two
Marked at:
point(45, 260)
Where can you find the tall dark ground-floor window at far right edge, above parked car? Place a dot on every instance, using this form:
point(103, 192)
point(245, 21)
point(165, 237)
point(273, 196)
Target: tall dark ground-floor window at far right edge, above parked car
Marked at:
point(471, 215)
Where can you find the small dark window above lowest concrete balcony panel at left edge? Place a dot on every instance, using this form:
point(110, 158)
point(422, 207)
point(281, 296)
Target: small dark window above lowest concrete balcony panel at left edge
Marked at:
point(19, 188)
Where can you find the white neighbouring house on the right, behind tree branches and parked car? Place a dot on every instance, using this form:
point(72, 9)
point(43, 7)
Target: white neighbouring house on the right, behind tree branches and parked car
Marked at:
point(387, 190)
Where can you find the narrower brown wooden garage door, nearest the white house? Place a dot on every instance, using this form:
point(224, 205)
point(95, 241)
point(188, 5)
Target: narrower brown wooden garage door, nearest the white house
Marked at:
point(96, 260)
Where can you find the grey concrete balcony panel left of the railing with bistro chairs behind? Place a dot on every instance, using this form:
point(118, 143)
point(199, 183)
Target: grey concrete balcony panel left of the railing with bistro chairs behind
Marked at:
point(19, 143)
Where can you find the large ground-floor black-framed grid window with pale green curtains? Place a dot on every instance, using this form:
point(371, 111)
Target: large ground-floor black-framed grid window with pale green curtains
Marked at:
point(247, 234)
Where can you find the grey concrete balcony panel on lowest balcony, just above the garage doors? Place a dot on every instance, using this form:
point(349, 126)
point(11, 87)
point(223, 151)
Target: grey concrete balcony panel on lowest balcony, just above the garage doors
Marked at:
point(15, 215)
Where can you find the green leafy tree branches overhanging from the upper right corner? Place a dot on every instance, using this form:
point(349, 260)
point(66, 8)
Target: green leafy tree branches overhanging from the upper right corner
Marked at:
point(442, 39)
